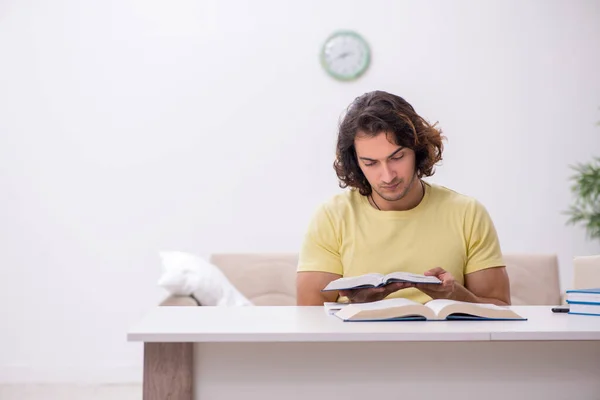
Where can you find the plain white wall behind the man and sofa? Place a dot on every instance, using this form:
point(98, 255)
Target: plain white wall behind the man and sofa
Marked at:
point(130, 127)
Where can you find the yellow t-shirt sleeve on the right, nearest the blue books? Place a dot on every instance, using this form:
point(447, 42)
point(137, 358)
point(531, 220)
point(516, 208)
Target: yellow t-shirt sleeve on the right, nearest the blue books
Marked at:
point(483, 245)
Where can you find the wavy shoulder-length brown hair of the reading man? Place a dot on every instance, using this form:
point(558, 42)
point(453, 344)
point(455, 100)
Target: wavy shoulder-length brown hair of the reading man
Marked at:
point(377, 112)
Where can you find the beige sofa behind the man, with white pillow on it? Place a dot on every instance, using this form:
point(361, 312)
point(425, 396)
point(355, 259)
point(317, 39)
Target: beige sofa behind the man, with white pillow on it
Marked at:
point(270, 279)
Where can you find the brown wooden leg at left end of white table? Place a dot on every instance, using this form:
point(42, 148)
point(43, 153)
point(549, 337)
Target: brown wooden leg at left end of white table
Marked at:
point(168, 371)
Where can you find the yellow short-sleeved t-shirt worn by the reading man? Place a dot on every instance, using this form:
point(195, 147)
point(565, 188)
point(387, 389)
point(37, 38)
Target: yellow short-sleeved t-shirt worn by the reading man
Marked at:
point(347, 236)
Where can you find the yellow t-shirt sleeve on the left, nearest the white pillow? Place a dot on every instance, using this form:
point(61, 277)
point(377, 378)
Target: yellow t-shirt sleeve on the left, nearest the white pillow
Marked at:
point(320, 249)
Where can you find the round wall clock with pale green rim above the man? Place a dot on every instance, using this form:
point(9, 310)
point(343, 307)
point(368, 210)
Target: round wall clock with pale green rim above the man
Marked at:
point(345, 55)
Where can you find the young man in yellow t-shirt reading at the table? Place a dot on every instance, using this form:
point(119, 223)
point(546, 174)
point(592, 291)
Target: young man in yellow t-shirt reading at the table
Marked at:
point(391, 220)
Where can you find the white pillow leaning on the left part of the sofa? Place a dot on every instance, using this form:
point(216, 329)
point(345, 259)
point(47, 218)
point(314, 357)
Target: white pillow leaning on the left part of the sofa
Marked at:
point(185, 274)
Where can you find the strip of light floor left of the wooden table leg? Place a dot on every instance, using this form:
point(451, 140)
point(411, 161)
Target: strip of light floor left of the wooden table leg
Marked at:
point(71, 392)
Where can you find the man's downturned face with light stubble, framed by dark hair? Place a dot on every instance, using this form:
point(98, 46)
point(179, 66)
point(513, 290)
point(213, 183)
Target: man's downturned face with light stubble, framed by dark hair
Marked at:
point(389, 168)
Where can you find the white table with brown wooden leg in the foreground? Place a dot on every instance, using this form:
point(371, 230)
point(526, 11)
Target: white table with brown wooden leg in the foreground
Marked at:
point(302, 353)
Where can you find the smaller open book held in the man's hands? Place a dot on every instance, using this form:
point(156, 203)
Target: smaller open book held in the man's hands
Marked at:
point(377, 280)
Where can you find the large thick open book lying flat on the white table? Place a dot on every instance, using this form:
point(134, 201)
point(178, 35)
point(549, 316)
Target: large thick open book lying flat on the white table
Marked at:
point(434, 310)
